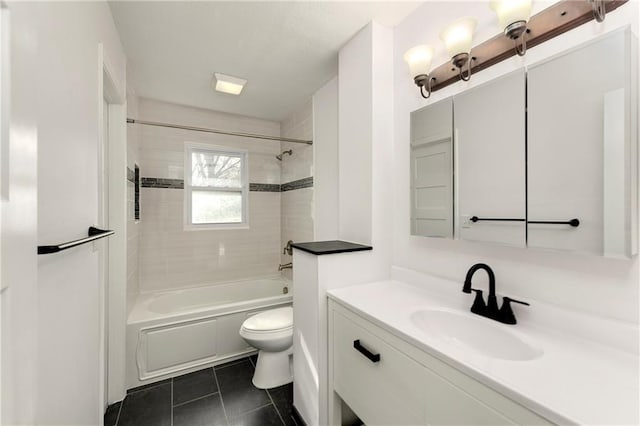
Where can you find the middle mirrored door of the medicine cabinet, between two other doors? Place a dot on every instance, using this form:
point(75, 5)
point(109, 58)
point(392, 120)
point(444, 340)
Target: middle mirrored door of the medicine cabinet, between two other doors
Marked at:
point(490, 145)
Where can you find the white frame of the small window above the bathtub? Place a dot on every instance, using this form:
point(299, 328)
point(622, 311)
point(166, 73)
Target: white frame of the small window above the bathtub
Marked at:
point(189, 149)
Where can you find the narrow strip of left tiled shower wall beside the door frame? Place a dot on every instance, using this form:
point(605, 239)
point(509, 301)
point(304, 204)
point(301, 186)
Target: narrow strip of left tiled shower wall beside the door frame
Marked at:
point(133, 226)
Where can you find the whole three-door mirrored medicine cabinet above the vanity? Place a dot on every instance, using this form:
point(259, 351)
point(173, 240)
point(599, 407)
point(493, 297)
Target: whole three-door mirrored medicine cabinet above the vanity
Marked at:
point(542, 158)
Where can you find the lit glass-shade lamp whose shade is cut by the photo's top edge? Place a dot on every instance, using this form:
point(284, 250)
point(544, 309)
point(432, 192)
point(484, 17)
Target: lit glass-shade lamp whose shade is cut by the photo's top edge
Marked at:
point(513, 16)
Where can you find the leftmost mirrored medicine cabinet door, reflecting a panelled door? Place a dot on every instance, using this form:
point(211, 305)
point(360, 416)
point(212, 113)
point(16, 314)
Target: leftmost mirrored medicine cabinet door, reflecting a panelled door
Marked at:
point(432, 170)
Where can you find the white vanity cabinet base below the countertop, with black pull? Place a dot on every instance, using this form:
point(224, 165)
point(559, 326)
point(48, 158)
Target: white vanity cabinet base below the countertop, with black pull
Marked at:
point(405, 385)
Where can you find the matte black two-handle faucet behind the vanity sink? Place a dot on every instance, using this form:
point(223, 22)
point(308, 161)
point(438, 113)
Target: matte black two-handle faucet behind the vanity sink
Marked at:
point(490, 310)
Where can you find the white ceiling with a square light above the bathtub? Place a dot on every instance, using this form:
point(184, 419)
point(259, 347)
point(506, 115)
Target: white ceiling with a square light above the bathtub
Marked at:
point(286, 50)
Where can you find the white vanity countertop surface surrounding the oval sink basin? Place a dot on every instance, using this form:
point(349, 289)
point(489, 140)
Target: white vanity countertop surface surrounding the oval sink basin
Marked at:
point(575, 381)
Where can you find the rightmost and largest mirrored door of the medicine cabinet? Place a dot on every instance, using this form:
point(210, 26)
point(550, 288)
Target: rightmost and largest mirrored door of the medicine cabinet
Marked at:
point(577, 137)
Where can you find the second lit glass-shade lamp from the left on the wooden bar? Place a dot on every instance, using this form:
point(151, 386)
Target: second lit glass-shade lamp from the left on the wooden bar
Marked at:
point(457, 37)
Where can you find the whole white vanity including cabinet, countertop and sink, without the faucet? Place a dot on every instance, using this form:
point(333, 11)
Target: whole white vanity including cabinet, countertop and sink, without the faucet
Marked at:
point(411, 354)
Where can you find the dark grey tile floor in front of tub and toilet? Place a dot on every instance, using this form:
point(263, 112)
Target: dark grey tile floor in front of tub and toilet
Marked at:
point(223, 395)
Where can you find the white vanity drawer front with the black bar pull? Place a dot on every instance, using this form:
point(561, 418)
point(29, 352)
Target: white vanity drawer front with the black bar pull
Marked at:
point(387, 392)
